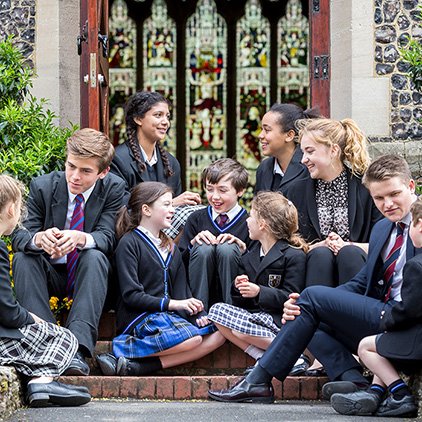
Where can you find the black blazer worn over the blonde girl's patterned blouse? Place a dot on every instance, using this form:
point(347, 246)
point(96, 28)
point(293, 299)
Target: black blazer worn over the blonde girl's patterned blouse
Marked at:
point(362, 212)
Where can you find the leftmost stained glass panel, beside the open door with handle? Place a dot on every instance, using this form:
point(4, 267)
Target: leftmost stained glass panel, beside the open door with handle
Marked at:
point(122, 61)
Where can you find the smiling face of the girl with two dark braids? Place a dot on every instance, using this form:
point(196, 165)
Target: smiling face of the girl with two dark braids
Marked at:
point(154, 125)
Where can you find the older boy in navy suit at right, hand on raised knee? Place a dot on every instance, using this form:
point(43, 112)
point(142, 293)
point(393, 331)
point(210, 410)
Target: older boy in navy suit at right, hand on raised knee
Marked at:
point(332, 321)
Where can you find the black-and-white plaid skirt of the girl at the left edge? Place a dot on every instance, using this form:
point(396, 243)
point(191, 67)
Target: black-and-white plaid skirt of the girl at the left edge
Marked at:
point(44, 350)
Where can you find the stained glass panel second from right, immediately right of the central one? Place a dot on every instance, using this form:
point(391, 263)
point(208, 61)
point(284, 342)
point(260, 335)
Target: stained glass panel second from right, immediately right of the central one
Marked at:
point(253, 85)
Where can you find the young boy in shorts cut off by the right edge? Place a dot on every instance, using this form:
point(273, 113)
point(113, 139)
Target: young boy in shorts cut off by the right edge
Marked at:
point(397, 348)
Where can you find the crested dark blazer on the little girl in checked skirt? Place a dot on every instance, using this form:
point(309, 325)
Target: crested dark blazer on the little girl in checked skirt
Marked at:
point(281, 272)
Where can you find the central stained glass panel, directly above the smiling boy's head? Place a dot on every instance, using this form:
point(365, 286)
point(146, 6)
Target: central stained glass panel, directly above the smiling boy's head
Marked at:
point(206, 50)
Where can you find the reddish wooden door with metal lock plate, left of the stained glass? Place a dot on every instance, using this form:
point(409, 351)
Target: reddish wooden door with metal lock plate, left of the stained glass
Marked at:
point(93, 42)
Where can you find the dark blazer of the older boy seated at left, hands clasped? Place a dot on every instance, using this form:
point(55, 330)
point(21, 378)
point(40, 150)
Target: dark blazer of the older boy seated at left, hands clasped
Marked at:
point(47, 207)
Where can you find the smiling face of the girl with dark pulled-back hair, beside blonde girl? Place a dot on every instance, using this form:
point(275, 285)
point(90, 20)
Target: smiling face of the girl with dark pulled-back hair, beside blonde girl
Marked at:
point(274, 141)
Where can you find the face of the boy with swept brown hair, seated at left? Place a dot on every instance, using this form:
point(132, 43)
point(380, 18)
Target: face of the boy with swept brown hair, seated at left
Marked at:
point(82, 173)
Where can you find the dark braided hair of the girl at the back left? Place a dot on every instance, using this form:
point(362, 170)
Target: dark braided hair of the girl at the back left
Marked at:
point(137, 106)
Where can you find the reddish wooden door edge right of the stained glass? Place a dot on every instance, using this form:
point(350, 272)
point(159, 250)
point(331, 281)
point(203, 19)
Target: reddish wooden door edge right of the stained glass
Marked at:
point(319, 60)
